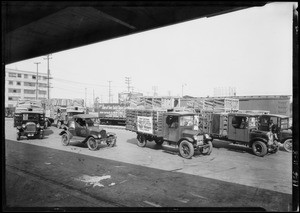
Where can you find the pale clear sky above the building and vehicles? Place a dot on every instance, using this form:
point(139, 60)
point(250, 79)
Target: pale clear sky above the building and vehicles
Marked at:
point(249, 50)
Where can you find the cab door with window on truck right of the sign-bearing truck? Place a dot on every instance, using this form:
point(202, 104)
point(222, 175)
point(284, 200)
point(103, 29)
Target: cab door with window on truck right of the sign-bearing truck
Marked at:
point(238, 129)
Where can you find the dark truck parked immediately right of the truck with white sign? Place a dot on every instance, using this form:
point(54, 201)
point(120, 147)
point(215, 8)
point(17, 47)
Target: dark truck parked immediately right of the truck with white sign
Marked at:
point(242, 128)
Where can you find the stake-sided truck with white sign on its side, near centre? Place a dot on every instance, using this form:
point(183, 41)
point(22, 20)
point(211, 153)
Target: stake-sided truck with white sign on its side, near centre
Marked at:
point(178, 129)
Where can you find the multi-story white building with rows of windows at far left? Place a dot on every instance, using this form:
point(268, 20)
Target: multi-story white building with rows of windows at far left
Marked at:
point(23, 84)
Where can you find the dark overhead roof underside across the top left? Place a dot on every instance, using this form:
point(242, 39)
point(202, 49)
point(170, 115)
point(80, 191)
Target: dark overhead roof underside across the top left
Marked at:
point(34, 28)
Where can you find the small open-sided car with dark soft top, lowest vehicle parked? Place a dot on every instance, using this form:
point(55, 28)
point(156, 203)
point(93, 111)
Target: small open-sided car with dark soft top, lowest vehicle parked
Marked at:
point(86, 129)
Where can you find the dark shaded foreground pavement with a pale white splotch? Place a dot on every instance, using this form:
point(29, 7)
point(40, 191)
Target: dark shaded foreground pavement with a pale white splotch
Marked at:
point(54, 178)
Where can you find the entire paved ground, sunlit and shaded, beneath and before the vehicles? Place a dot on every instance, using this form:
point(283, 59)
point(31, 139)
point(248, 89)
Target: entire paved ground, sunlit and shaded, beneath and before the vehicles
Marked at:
point(145, 176)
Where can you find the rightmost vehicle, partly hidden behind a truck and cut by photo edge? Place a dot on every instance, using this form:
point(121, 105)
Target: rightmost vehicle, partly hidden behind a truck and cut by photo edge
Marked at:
point(281, 128)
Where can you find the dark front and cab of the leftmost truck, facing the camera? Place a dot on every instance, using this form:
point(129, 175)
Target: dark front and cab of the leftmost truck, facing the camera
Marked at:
point(29, 124)
